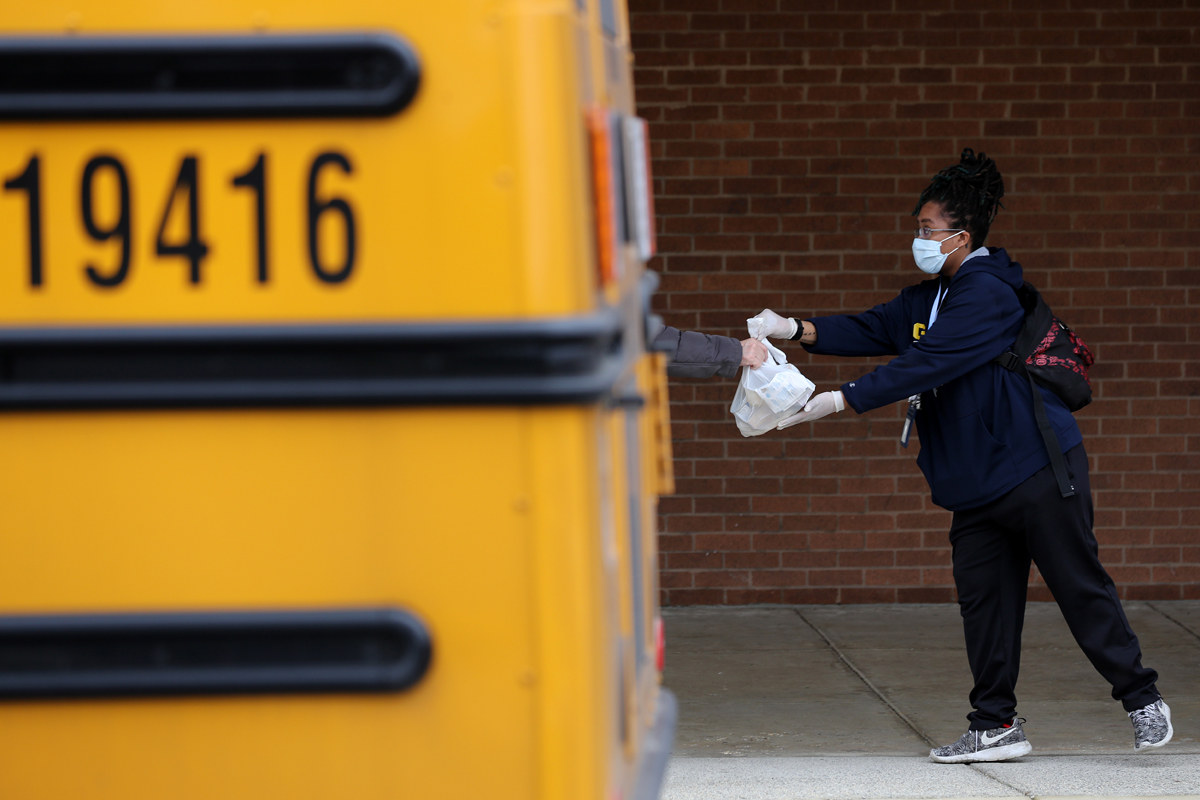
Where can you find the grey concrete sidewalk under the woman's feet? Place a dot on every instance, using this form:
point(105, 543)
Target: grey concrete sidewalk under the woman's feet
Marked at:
point(782, 702)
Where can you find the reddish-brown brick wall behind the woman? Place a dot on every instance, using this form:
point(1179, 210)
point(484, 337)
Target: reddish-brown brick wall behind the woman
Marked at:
point(791, 141)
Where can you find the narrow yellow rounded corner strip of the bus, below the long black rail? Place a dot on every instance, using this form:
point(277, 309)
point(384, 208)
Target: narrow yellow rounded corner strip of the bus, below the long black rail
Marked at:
point(575, 585)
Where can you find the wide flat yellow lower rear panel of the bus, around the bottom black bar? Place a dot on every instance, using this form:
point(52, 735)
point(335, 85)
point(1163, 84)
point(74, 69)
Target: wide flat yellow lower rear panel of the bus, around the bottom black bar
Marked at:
point(421, 510)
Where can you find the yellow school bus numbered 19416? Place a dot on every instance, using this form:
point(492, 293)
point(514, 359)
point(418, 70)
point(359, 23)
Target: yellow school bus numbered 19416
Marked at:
point(329, 438)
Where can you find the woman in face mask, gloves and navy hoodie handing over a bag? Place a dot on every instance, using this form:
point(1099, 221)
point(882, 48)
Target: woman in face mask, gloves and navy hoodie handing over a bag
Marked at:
point(986, 460)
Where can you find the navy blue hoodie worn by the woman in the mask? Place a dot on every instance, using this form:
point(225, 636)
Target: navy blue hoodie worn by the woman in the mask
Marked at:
point(979, 435)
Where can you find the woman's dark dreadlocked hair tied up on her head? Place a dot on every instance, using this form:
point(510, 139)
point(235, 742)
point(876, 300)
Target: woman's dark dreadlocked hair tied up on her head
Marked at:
point(969, 194)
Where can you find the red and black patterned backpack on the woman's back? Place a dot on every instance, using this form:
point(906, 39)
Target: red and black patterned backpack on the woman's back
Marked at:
point(1048, 352)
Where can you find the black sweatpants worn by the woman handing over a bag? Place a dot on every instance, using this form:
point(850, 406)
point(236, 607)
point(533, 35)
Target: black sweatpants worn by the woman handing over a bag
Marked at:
point(993, 548)
